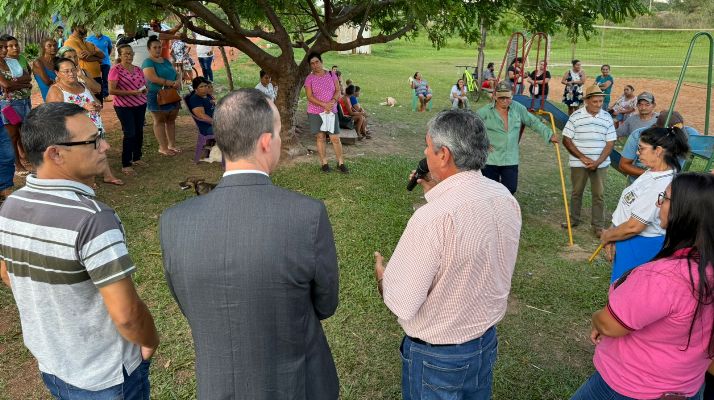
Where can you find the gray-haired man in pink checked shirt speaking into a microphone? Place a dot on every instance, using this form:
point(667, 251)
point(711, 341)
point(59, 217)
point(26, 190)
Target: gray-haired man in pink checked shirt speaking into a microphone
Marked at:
point(449, 277)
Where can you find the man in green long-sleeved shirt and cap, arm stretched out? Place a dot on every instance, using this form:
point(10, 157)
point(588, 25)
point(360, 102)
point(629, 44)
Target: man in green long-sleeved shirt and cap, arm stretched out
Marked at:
point(503, 120)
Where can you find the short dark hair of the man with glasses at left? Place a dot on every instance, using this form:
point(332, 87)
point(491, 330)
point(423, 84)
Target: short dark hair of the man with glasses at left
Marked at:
point(45, 126)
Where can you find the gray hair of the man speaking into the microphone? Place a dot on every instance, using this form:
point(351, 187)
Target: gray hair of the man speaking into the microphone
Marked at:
point(464, 134)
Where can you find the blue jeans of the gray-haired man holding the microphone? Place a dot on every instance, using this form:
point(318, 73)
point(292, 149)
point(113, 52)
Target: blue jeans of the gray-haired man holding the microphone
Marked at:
point(463, 371)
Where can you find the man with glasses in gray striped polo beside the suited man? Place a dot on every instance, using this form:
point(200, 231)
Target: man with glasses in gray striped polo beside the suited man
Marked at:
point(64, 255)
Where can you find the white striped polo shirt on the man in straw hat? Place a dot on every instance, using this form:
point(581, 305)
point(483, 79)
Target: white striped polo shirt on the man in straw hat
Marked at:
point(590, 135)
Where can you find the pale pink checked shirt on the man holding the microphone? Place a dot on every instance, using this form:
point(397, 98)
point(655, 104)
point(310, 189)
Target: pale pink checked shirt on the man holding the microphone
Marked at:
point(449, 277)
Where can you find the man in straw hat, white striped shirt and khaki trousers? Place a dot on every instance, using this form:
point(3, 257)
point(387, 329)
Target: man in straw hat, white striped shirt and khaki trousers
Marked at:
point(589, 136)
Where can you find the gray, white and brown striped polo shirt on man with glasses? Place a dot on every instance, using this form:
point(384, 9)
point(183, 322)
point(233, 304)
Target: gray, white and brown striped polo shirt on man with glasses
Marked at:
point(60, 246)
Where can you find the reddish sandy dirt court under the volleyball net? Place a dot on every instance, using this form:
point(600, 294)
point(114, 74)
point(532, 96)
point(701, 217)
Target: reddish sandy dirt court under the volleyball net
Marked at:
point(691, 102)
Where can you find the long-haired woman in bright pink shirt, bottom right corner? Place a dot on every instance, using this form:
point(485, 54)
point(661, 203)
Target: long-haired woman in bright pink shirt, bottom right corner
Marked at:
point(654, 336)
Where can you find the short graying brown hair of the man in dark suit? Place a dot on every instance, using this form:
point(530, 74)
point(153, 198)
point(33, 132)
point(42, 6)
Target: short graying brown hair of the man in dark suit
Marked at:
point(239, 120)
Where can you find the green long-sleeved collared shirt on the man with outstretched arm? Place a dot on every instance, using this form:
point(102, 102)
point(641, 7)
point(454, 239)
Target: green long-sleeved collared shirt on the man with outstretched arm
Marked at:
point(505, 144)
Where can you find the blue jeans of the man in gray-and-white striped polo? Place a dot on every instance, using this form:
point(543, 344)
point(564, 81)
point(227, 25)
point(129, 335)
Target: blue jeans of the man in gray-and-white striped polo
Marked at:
point(135, 387)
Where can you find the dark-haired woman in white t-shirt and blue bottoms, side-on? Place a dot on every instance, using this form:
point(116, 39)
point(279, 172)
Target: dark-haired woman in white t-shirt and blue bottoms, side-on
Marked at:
point(636, 235)
